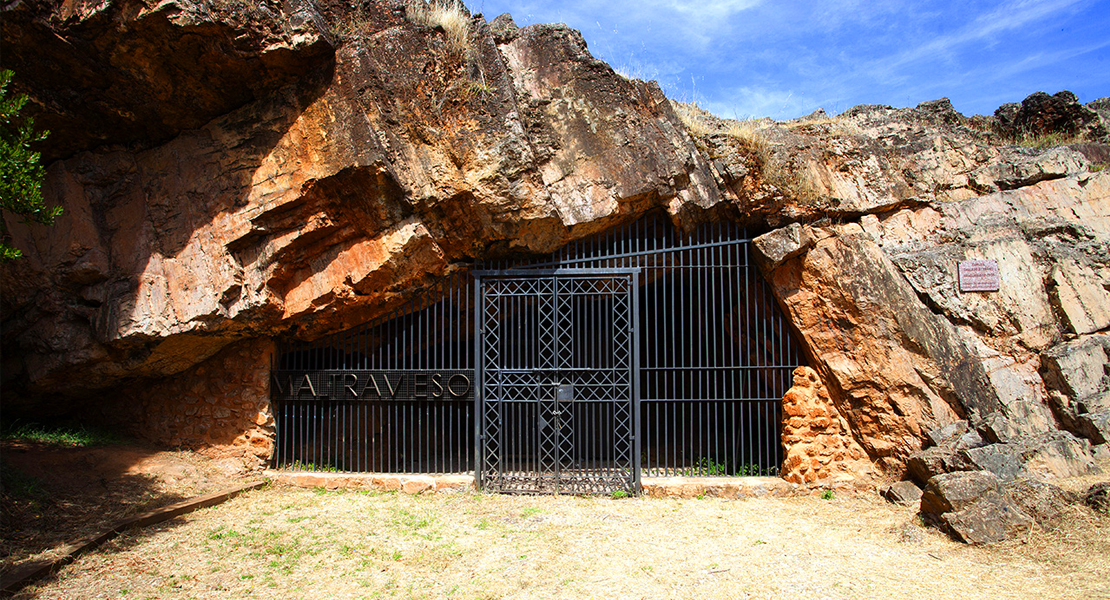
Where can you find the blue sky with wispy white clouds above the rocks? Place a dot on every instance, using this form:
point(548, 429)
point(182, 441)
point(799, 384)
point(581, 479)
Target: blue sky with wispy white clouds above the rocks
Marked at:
point(785, 59)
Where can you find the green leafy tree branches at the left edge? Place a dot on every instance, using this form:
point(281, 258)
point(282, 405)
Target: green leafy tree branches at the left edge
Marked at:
point(21, 172)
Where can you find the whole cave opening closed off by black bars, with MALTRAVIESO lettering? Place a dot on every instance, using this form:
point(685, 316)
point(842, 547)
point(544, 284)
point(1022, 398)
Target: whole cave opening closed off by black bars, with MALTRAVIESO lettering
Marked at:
point(415, 392)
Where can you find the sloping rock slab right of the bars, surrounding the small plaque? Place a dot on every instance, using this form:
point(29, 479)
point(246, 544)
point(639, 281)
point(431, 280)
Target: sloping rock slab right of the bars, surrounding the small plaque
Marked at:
point(909, 352)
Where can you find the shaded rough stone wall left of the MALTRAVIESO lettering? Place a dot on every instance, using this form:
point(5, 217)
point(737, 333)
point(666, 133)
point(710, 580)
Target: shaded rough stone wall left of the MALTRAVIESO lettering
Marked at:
point(220, 408)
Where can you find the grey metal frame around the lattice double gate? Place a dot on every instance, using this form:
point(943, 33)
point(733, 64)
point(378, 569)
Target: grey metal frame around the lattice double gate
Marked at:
point(479, 364)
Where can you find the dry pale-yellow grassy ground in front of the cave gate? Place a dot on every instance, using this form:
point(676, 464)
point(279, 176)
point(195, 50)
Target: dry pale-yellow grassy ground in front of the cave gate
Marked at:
point(291, 543)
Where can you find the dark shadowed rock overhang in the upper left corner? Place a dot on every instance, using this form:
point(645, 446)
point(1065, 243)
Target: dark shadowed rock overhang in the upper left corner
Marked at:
point(130, 73)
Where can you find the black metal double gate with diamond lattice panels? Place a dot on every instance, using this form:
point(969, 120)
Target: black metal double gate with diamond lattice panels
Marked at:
point(558, 399)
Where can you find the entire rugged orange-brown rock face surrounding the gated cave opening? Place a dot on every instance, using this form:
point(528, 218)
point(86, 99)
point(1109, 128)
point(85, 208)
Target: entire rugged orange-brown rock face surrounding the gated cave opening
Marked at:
point(299, 168)
